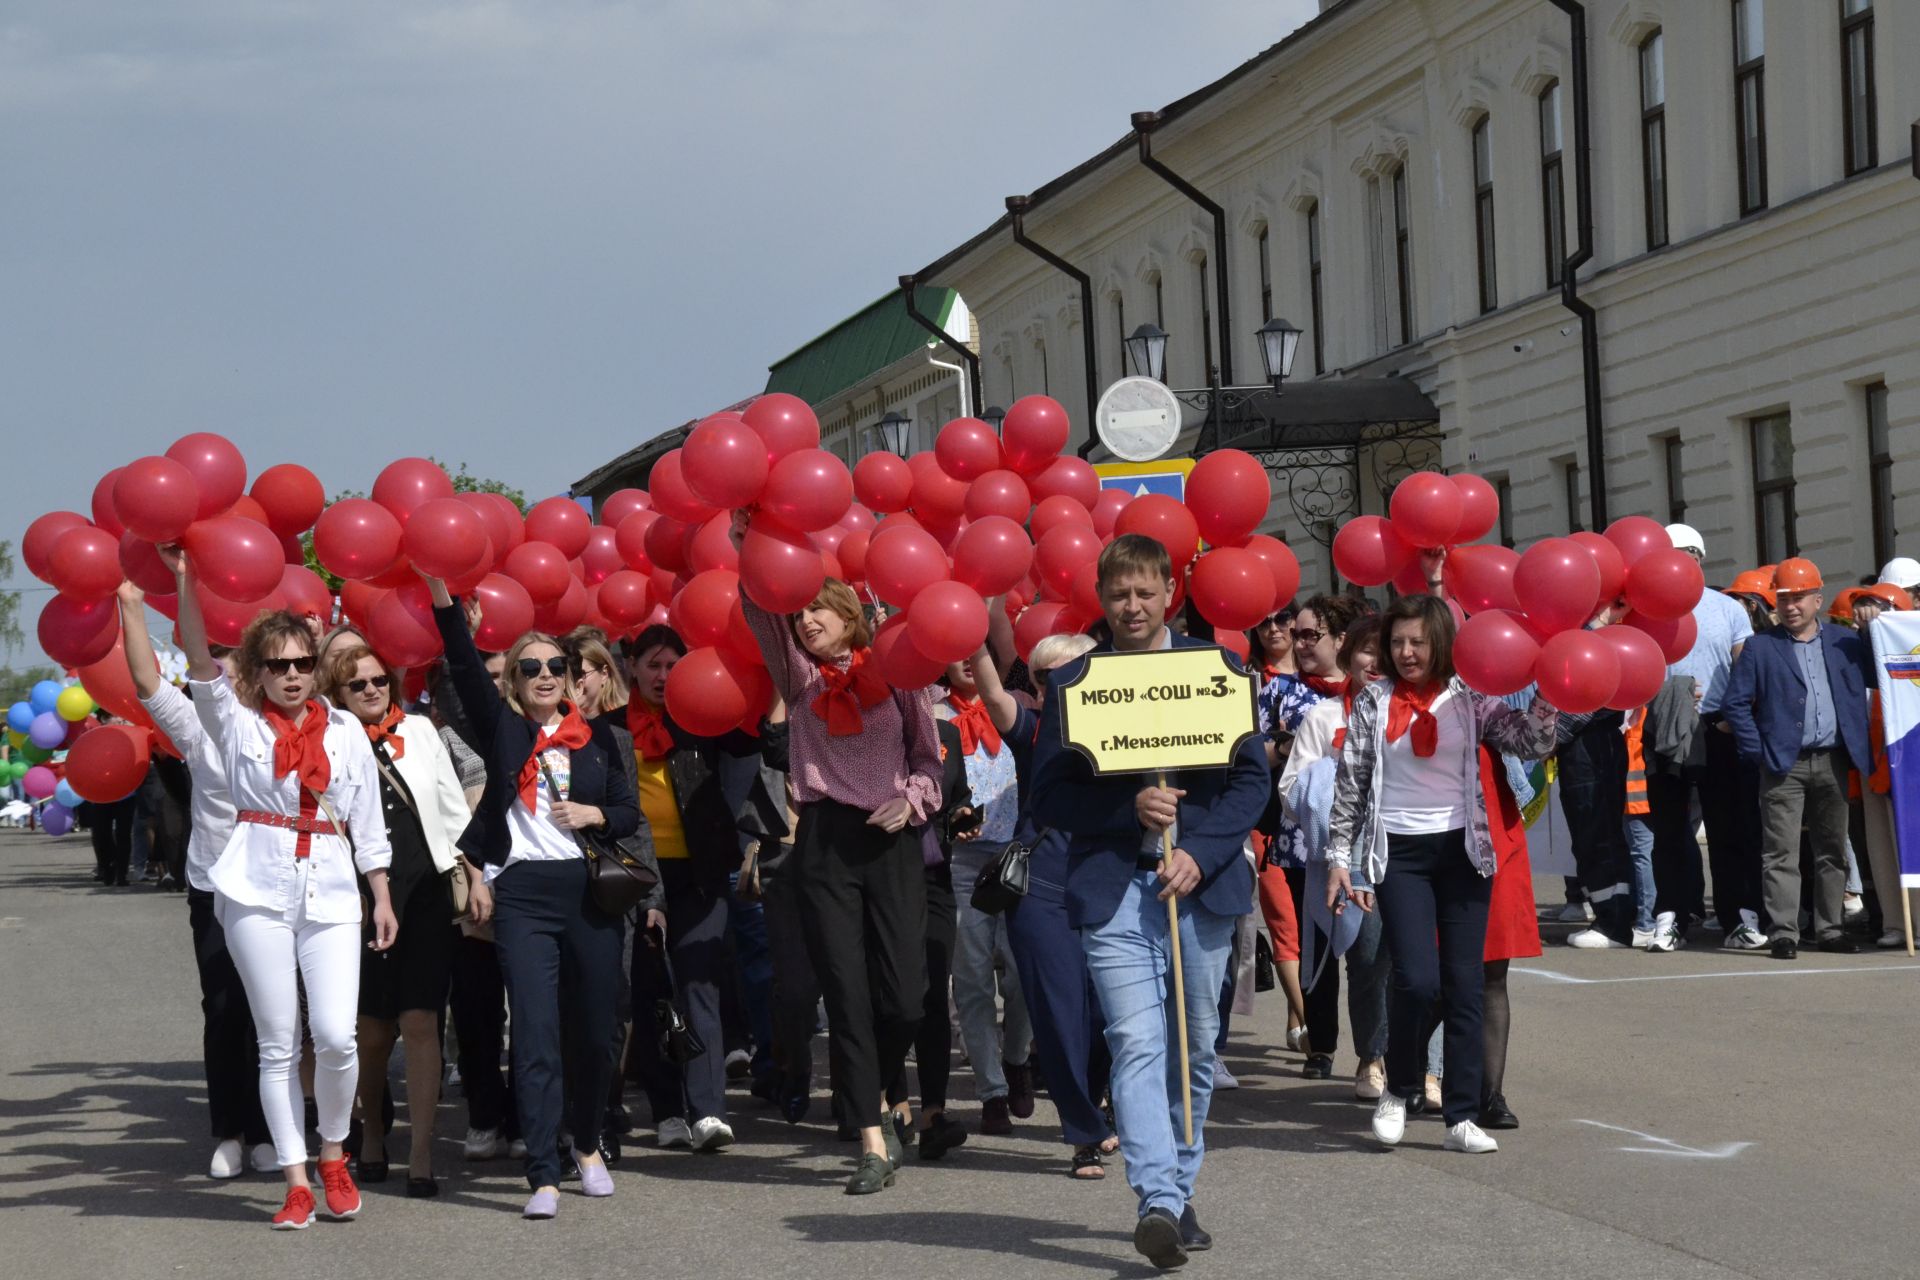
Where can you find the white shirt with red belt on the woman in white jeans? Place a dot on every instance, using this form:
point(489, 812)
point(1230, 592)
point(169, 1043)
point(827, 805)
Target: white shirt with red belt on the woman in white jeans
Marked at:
point(258, 866)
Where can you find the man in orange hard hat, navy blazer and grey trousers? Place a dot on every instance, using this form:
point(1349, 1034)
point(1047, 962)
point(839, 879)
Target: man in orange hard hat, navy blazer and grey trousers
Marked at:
point(1798, 709)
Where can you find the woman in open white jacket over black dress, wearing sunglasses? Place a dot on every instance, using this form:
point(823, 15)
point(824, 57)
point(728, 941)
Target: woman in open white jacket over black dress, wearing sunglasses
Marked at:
point(404, 989)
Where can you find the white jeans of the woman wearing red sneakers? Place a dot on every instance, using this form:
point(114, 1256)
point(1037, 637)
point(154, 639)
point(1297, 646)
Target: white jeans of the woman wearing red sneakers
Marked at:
point(277, 953)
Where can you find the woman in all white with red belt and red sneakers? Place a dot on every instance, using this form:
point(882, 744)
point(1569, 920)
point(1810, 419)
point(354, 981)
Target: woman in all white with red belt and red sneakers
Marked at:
point(308, 815)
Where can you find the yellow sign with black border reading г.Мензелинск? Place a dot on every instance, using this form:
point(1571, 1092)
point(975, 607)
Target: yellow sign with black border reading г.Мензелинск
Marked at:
point(1159, 711)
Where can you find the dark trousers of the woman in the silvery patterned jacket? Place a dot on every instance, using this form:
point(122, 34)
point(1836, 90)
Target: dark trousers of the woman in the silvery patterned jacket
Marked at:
point(1433, 909)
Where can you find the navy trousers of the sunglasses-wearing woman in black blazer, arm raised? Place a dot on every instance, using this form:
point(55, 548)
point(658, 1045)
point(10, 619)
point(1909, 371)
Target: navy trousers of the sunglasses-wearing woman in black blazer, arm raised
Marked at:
point(562, 960)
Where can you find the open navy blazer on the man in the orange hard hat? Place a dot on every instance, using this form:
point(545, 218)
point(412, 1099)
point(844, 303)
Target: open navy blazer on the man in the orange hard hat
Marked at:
point(1767, 698)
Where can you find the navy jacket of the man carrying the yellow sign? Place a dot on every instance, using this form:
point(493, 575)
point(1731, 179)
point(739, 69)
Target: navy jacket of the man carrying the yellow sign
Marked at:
point(1105, 840)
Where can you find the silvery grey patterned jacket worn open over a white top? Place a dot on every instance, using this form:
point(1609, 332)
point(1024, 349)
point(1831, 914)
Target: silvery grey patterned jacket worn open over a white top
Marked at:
point(1358, 784)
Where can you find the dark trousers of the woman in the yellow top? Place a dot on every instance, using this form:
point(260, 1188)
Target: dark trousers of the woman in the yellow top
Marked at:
point(702, 962)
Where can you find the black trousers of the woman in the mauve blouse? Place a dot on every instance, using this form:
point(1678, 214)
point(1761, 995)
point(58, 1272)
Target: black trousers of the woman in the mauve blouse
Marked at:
point(863, 901)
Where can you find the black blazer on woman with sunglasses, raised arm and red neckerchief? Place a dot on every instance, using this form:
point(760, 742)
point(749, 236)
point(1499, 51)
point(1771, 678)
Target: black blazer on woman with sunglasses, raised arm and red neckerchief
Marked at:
point(506, 742)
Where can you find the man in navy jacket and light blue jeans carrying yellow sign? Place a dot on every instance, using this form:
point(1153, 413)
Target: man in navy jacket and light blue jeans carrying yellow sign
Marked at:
point(1116, 899)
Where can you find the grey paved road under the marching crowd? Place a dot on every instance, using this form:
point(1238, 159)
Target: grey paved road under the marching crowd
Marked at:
point(1694, 1116)
